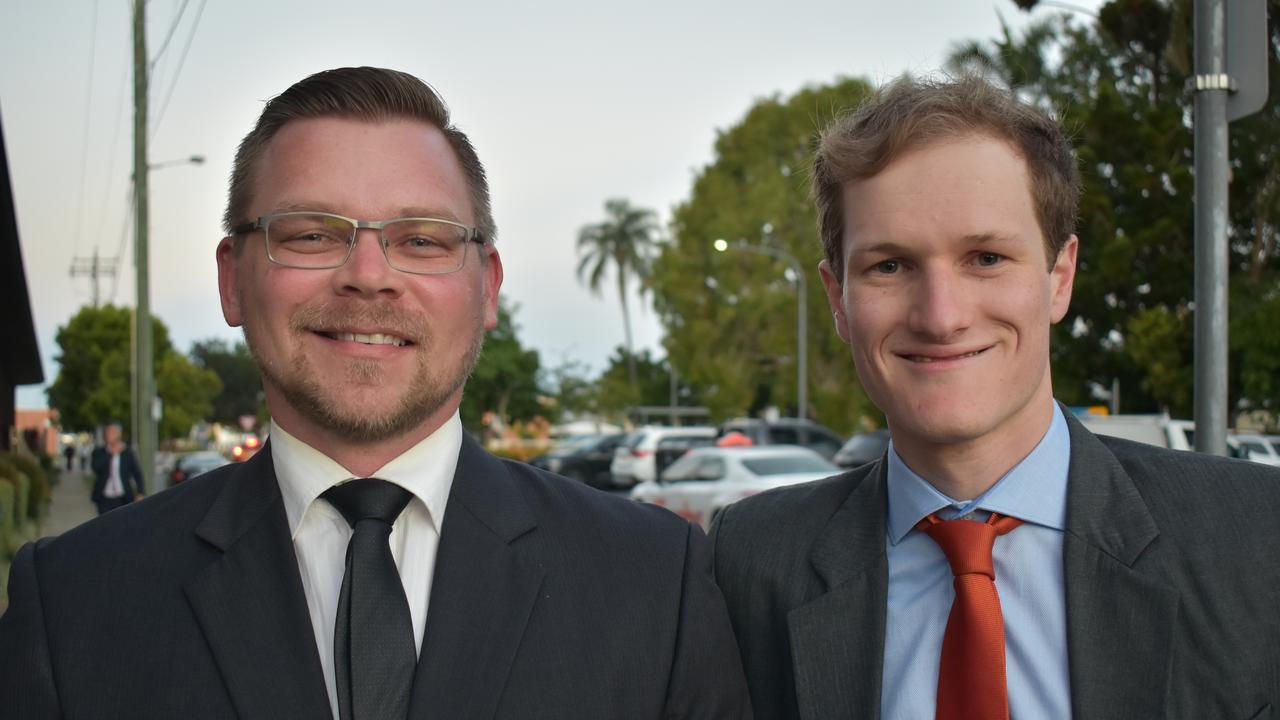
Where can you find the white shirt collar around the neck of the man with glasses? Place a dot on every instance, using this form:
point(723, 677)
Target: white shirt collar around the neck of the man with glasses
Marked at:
point(427, 471)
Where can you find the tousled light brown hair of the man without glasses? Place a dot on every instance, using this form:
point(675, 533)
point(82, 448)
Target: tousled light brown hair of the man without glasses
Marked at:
point(909, 115)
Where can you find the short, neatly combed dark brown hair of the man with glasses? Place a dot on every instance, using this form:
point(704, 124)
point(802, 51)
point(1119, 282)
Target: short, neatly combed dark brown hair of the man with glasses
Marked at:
point(359, 94)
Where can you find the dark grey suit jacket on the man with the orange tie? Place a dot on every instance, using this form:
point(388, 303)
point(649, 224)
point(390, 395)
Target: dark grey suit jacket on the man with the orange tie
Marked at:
point(1172, 563)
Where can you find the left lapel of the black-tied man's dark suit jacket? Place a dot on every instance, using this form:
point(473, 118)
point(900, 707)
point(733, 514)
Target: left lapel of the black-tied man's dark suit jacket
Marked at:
point(250, 601)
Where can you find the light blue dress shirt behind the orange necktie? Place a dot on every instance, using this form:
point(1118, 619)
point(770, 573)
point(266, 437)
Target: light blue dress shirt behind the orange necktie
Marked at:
point(1028, 577)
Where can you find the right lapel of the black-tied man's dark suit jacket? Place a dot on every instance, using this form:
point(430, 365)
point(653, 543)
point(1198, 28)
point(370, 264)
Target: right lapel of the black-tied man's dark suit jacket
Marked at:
point(483, 593)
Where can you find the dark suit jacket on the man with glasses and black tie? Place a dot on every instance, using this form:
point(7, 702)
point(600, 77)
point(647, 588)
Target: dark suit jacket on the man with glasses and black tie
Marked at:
point(550, 600)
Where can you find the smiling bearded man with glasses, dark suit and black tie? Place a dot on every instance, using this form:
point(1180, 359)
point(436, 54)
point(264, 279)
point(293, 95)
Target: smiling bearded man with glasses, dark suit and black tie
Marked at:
point(372, 562)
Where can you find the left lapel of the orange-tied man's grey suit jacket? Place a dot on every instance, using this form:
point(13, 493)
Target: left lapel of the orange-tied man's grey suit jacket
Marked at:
point(838, 640)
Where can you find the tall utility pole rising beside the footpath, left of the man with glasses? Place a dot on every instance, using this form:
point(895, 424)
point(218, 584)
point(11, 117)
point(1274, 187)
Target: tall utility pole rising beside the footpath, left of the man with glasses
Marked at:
point(147, 426)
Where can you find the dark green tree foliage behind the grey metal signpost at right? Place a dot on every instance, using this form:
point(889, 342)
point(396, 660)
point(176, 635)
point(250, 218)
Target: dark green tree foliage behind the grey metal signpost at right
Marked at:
point(1118, 86)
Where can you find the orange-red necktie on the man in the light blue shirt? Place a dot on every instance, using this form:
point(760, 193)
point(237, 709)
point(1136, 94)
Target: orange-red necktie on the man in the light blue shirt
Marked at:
point(972, 673)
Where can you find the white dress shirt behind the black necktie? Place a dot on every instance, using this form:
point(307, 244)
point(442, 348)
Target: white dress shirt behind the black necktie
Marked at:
point(321, 534)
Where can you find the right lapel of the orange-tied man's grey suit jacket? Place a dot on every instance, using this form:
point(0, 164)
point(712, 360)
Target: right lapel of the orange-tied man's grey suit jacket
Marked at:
point(1119, 622)
